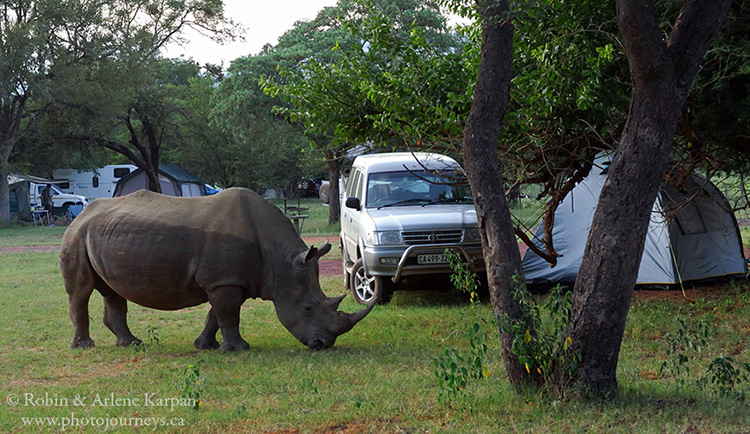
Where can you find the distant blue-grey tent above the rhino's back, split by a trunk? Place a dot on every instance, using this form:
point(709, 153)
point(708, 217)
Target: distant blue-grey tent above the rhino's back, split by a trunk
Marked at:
point(174, 182)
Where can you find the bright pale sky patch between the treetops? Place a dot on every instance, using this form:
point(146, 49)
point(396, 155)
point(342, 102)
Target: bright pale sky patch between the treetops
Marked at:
point(264, 22)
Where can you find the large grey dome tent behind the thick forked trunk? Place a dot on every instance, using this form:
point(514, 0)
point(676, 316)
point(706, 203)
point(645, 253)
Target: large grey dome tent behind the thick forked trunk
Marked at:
point(699, 240)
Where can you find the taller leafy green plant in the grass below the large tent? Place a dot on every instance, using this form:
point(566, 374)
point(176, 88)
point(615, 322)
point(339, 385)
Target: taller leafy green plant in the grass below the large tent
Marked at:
point(682, 347)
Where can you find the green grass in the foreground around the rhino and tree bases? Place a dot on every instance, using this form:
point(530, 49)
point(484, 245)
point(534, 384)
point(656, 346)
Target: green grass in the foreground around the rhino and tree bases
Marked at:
point(378, 378)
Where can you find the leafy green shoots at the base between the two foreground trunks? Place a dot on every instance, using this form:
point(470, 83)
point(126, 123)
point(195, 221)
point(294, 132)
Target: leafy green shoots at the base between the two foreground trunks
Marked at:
point(548, 352)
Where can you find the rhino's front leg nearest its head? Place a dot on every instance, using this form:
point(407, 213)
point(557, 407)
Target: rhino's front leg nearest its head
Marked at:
point(225, 305)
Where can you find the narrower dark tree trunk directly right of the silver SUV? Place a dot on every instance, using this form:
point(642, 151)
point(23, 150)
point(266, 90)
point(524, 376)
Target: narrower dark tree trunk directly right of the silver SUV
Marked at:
point(491, 96)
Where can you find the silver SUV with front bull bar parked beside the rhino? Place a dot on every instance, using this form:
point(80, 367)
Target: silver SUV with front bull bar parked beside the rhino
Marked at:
point(402, 211)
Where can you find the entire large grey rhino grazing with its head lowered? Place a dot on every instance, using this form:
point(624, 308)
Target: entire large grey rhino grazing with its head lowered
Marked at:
point(169, 253)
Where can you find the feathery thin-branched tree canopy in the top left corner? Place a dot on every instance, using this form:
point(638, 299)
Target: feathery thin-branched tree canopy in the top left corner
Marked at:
point(63, 53)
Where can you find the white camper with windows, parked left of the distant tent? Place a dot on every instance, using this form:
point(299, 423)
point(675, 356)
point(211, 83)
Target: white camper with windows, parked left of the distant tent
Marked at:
point(96, 183)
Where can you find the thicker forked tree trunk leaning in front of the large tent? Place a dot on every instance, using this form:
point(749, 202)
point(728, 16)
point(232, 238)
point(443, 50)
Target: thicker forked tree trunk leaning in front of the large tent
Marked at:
point(662, 72)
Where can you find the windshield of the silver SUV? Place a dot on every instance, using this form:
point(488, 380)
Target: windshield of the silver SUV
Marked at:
point(417, 187)
